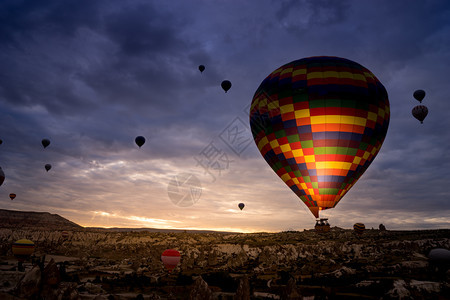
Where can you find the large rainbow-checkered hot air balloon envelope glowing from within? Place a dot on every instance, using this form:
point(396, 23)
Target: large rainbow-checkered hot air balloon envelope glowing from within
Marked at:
point(319, 122)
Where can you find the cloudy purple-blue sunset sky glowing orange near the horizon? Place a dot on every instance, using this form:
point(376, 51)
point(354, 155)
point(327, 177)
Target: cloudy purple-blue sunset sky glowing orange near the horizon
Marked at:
point(92, 75)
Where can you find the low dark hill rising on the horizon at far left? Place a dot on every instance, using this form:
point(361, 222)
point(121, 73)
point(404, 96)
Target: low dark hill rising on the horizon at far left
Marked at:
point(35, 220)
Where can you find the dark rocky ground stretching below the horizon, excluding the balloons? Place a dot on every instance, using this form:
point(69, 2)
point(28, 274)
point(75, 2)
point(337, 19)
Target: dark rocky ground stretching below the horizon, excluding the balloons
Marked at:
point(98, 264)
